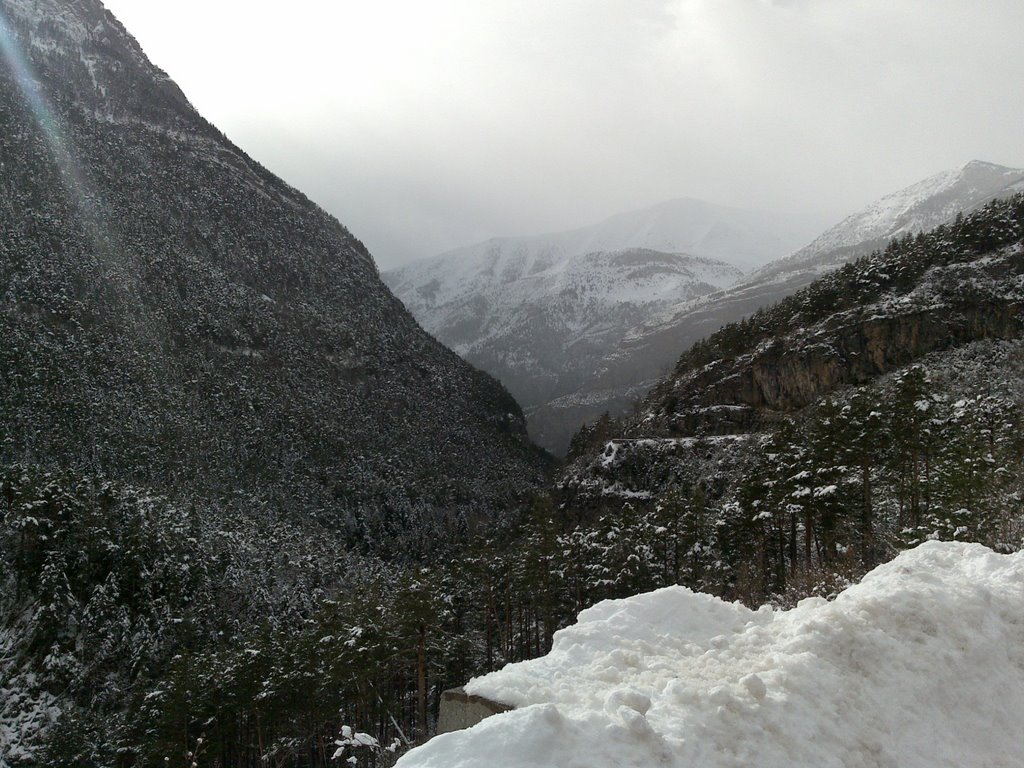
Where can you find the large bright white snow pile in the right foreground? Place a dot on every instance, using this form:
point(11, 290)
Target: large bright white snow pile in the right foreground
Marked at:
point(920, 665)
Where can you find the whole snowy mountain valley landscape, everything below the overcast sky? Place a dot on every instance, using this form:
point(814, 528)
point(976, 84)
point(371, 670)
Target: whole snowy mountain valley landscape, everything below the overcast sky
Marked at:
point(667, 487)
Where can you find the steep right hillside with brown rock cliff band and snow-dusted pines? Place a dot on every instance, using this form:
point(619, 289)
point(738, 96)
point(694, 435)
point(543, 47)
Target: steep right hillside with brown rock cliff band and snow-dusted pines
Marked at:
point(875, 409)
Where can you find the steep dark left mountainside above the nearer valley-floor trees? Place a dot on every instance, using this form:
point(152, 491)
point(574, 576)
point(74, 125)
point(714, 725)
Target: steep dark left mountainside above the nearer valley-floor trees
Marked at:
point(176, 316)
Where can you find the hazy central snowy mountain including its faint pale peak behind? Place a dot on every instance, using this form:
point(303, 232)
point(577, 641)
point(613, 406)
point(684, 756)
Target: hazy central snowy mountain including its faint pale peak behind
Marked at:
point(539, 313)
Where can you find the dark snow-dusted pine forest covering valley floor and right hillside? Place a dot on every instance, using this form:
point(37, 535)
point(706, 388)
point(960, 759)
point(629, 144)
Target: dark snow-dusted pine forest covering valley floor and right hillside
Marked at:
point(156, 604)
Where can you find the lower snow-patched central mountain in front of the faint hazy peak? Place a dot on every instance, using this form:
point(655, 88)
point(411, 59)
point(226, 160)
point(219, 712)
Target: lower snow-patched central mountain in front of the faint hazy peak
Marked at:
point(542, 331)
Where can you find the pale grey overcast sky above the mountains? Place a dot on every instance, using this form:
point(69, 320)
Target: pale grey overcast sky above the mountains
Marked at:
point(429, 124)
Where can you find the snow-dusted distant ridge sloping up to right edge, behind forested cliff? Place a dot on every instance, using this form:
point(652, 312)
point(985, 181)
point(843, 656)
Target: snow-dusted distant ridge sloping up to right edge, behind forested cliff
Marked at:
point(649, 350)
